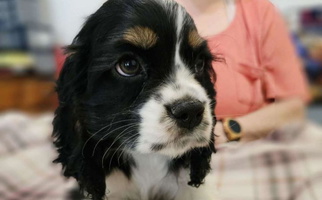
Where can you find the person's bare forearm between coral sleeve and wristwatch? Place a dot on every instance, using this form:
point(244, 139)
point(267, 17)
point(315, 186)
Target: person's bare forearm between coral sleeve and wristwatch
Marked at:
point(261, 122)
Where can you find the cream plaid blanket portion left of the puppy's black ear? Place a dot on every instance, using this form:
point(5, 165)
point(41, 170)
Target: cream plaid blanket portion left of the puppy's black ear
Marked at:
point(26, 154)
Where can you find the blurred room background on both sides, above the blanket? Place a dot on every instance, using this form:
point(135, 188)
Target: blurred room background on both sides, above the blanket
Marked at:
point(32, 33)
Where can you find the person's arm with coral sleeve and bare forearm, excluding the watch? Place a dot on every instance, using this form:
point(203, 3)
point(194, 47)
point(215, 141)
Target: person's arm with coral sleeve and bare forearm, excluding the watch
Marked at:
point(283, 81)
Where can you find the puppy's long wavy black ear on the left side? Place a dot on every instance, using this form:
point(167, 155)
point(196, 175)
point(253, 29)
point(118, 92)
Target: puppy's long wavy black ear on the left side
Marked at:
point(68, 123)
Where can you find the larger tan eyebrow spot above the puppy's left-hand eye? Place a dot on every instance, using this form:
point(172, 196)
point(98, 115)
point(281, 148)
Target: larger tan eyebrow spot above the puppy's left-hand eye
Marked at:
point(141, 36)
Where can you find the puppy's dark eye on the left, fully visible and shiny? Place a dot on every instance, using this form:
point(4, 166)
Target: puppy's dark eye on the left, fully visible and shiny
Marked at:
point(128, 67)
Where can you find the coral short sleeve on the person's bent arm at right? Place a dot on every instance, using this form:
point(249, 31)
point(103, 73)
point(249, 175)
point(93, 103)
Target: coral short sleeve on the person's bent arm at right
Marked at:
point(284, 76)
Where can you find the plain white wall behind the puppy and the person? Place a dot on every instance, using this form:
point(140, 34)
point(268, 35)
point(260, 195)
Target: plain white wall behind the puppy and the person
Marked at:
point(67, 16)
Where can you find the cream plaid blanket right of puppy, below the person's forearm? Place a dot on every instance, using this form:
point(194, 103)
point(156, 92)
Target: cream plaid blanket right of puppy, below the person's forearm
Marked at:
point(287, 165)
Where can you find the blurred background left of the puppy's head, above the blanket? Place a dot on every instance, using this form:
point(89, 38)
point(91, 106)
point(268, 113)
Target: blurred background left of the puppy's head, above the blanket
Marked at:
point(32, 33)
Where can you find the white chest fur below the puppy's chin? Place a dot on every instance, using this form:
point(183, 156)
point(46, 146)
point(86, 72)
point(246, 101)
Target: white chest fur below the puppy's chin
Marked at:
point(151, 177)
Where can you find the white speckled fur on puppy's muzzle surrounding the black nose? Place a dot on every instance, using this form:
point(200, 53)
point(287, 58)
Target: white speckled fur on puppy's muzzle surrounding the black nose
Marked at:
point(155, 131)
